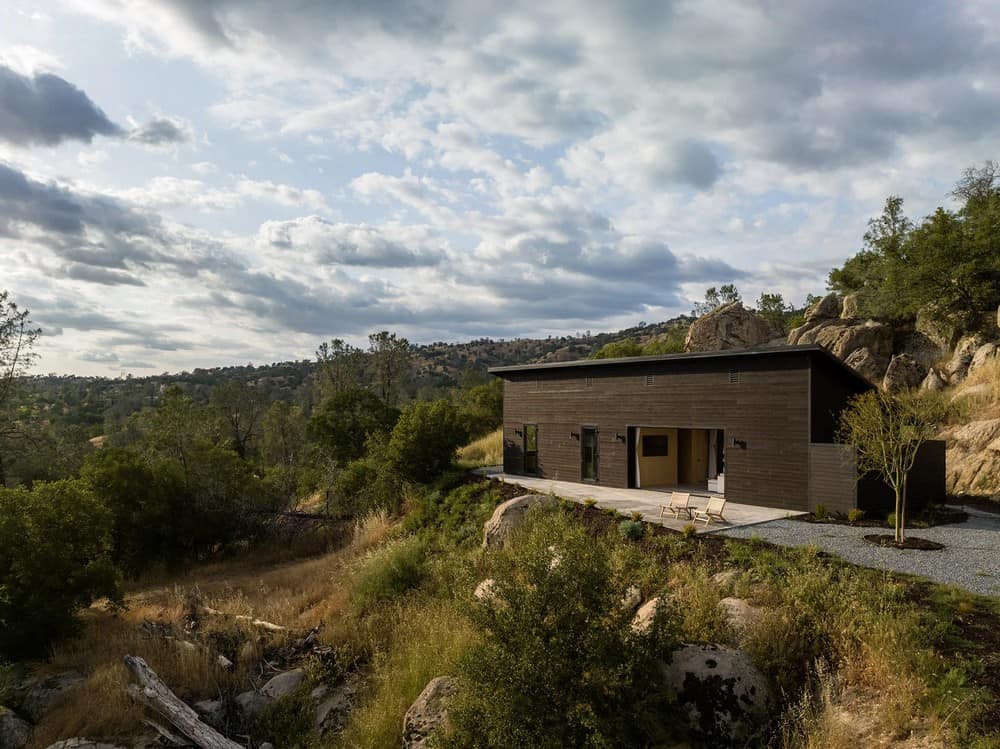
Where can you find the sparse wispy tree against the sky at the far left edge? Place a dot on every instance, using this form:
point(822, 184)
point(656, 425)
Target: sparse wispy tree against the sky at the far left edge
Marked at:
point(17, 338)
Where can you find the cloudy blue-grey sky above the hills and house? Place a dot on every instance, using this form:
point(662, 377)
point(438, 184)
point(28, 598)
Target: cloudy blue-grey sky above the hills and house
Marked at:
point(195, 183)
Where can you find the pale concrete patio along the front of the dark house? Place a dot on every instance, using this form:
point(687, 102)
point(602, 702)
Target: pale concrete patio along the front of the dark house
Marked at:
point(646, 501)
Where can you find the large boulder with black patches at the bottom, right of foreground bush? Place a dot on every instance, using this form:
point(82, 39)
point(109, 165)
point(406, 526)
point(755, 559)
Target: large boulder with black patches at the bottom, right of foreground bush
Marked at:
point(723, 696)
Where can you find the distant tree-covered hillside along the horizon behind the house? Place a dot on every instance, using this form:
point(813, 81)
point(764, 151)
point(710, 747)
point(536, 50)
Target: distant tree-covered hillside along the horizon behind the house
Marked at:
point(93, 402)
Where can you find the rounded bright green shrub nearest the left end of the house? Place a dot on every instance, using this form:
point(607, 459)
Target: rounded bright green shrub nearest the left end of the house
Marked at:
point(424, 440)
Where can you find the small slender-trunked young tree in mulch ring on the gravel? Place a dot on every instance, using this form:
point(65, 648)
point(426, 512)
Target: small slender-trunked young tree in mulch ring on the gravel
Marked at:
point(888, 430)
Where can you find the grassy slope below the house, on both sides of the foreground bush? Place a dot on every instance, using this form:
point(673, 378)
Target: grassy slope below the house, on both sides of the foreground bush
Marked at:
point(899, 658)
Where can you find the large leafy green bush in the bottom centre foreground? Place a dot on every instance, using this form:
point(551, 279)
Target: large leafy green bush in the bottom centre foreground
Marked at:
point(559, 663)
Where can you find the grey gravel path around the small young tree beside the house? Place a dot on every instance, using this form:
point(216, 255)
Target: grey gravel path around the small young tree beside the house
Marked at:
point(970, 559)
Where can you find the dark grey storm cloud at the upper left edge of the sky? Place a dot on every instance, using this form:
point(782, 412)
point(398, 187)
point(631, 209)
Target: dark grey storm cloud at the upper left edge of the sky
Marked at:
point(44, 109)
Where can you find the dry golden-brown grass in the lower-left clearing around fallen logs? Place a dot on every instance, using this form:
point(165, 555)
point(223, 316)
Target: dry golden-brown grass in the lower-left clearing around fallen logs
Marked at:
point(297, 594)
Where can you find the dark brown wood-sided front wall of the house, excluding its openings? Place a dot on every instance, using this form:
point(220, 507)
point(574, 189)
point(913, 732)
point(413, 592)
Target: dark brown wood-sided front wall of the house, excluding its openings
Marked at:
point(768, 408)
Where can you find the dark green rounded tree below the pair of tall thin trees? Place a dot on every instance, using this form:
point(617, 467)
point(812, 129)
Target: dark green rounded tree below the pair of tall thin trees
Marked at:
point(343, 423)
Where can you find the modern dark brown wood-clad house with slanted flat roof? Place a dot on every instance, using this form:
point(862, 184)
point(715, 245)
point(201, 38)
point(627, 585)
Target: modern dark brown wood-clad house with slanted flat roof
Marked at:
point(755, 425)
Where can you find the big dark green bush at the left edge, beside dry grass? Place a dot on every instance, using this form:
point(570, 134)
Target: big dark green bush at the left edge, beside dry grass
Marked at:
point(55, 559)
